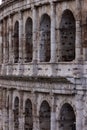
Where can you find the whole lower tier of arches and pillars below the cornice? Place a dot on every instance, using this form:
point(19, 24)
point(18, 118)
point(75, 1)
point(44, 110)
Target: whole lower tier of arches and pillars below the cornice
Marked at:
point(24, 110)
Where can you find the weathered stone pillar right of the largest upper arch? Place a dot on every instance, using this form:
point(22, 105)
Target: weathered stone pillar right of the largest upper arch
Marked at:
point(78, 30)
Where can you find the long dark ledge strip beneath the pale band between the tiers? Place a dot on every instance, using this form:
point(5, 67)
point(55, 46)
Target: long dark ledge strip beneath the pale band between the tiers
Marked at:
point(36, 79)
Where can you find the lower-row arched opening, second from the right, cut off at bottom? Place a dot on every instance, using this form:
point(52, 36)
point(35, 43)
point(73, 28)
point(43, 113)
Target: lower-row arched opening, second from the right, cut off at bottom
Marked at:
point(44, 116)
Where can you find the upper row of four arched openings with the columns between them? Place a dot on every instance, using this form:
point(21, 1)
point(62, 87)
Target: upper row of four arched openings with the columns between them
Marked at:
point(40, 42)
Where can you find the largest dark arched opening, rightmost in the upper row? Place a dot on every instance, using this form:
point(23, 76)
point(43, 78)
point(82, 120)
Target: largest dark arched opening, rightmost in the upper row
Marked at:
point(67, 36)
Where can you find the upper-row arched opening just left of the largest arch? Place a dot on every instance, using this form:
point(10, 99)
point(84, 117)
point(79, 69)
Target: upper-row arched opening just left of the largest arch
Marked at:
point(45, 48)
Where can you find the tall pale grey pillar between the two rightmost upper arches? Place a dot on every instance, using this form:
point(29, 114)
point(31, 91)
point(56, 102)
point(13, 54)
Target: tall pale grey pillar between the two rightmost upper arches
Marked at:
point(53, 33)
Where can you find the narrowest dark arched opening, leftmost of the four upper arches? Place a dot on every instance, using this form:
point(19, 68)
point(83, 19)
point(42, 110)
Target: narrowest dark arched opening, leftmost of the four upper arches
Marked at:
point(16, 42)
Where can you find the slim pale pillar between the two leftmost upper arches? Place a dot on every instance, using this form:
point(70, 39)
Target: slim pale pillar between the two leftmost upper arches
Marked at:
point(20, 37)
